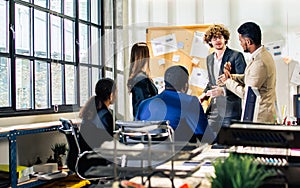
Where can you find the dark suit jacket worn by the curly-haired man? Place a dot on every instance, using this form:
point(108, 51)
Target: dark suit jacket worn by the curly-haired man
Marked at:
point(231, 104)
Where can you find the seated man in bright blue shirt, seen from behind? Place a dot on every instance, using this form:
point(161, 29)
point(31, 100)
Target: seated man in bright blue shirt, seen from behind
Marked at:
point(184, 112)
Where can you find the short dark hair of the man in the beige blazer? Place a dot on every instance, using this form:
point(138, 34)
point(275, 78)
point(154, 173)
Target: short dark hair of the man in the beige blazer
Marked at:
point(252, 31)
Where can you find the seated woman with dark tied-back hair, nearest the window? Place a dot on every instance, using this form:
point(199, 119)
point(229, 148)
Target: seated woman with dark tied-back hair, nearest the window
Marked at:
point(97, 120)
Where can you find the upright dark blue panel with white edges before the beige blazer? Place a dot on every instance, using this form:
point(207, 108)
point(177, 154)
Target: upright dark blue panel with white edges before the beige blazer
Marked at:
point(251, 105)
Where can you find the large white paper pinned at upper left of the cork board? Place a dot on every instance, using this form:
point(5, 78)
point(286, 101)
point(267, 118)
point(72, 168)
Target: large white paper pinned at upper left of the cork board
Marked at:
point(164, 44)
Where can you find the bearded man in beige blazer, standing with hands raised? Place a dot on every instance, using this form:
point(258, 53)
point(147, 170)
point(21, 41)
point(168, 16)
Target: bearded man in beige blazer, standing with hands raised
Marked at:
point(259, 73)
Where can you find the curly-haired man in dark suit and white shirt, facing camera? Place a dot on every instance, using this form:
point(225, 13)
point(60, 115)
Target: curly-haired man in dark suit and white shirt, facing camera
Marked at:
point(224, 105)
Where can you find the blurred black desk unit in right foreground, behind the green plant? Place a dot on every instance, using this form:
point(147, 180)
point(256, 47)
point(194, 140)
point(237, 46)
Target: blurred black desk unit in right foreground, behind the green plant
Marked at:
point(276, 146)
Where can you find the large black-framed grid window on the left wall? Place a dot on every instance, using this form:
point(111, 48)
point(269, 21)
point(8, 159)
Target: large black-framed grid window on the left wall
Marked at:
point(50, 54)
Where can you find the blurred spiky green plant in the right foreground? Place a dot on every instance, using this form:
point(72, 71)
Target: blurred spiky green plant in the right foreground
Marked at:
point(240, 171)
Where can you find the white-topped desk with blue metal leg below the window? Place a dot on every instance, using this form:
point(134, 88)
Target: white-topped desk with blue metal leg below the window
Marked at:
point(11, 133)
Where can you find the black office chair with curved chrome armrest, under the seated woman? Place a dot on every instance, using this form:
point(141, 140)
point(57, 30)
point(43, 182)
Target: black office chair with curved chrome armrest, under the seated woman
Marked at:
point(81, 159)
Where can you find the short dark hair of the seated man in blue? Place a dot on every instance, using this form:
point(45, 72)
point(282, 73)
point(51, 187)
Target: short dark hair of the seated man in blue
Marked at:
point(176, 77)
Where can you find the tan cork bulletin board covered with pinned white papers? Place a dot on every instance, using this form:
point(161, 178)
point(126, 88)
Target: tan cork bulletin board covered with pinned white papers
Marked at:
point(179, 45)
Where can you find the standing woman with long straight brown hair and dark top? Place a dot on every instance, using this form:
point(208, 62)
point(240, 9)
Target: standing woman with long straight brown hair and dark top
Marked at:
point(139, 82)
